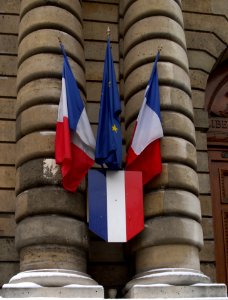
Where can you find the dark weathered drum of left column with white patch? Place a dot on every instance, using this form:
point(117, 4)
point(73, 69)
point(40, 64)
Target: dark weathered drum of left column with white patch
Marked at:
point(38, 172)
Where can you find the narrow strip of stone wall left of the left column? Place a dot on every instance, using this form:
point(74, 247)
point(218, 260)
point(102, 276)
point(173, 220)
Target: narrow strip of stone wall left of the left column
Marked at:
point(9, 20)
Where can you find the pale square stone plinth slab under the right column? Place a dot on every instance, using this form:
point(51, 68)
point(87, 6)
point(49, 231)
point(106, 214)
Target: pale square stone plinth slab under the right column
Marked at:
point(164, 291)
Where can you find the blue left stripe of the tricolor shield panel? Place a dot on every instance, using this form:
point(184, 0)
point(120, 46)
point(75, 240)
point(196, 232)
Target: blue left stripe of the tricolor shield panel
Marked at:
point(97, 196)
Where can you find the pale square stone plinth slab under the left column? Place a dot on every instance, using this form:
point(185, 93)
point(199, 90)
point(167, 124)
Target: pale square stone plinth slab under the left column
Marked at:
point(57, 292)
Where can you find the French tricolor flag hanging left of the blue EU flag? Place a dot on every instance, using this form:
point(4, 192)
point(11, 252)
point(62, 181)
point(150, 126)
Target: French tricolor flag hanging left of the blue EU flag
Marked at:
point(75, 142)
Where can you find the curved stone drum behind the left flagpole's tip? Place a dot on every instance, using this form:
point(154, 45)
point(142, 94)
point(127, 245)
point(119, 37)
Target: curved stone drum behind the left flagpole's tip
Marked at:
point(47, 40)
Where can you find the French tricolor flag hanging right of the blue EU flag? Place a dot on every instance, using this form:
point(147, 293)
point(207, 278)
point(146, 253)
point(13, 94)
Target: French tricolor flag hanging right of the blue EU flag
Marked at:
point(144, 153)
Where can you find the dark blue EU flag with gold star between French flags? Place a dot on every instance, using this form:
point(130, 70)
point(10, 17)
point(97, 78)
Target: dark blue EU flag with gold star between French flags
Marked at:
point(109, 139)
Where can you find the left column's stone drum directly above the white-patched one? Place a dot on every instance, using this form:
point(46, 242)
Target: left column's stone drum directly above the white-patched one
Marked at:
point(35, 145)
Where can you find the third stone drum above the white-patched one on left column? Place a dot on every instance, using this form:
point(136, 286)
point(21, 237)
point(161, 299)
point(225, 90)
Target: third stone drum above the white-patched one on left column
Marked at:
point(39, 91)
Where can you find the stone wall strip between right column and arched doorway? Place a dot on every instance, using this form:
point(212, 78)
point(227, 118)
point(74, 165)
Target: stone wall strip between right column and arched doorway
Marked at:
point(206, 36)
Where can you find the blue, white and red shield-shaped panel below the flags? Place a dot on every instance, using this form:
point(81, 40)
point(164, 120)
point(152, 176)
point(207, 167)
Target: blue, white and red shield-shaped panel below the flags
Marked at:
point(115, 204)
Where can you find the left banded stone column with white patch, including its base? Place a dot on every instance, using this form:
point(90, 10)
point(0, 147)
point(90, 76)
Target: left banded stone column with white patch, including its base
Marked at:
point(51, 232)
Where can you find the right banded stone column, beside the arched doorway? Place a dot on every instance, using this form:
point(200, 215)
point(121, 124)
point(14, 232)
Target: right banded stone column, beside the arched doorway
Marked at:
point(167, 251)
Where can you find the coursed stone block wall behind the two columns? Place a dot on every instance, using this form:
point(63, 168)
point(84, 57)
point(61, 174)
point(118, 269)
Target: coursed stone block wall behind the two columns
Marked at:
point(205, 28)
